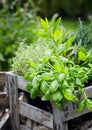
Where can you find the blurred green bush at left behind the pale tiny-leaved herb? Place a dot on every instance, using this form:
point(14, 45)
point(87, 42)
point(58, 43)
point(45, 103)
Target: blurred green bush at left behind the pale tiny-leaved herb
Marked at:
point(14, 28)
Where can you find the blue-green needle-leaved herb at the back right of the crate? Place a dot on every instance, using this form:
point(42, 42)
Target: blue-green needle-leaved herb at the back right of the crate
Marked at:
point(85, 34)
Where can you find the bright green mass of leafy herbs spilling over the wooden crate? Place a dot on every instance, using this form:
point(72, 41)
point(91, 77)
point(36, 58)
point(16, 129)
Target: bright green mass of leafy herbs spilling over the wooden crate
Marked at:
point(54, 75)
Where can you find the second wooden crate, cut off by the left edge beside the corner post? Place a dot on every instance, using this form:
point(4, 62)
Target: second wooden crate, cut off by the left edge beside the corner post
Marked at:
point(4, 104)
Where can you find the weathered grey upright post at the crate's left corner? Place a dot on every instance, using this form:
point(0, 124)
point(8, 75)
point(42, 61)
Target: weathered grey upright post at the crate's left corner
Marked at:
point(13, 101)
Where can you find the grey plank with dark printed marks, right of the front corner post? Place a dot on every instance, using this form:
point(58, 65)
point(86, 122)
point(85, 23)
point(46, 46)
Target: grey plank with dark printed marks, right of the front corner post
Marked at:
point(70, 110)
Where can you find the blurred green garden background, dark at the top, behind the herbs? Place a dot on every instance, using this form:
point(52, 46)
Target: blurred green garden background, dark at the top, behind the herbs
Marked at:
point(19, 19)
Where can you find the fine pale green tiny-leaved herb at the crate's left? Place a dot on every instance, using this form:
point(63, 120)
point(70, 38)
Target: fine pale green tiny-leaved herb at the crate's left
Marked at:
point(28, 54)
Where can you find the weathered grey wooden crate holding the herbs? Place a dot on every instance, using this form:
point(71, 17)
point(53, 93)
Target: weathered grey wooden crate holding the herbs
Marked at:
point(58, 120)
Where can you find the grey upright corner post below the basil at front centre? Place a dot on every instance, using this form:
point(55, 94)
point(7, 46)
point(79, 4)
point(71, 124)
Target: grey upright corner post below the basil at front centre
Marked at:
point(58, 123)
